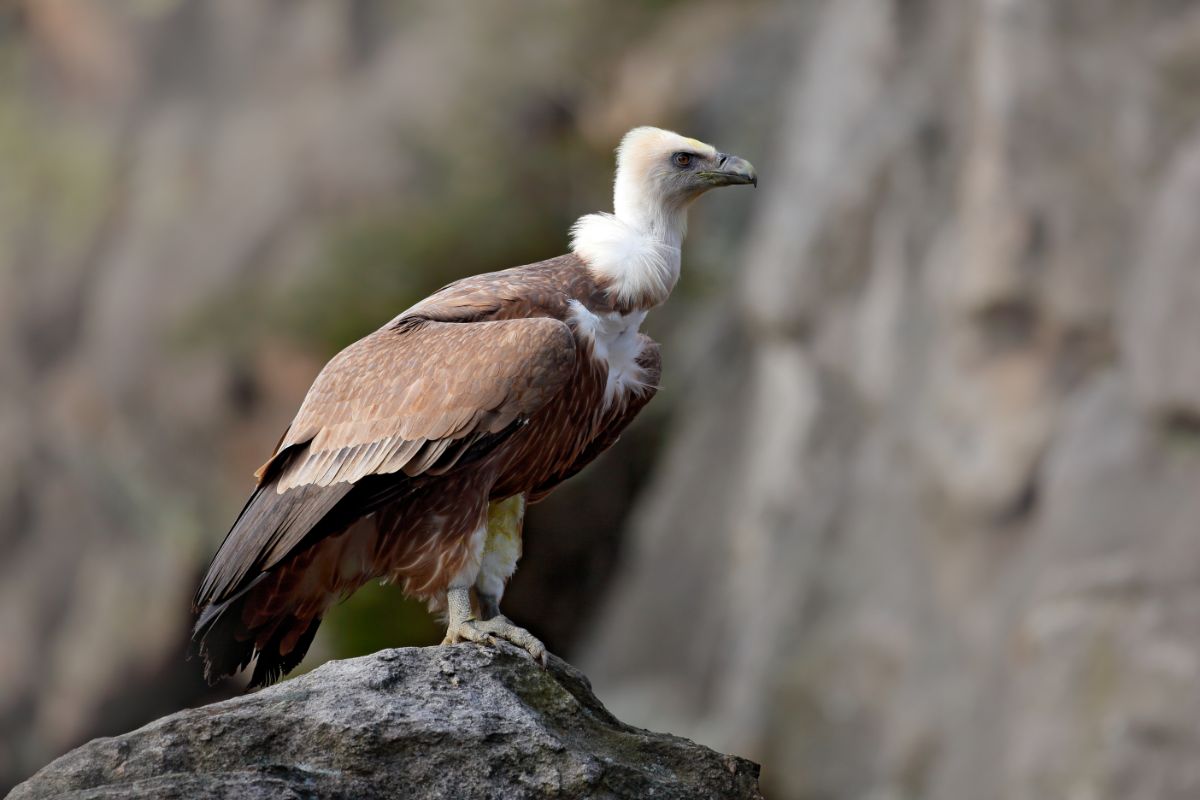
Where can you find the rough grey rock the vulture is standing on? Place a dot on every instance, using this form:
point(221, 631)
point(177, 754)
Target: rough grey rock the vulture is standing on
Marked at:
point(466, 721)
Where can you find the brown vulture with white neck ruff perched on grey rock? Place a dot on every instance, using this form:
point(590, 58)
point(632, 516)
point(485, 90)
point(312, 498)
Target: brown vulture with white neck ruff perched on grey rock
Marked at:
point(417, 450)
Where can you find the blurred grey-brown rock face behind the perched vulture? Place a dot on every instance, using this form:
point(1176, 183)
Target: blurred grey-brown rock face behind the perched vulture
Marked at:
point(917, 512)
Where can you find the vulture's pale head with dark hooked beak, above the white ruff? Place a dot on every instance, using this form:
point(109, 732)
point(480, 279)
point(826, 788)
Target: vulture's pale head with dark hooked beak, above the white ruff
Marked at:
point(659, 175)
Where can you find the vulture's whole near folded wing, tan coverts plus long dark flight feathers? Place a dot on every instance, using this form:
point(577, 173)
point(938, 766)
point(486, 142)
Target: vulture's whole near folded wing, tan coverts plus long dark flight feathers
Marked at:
point(412, 396)
